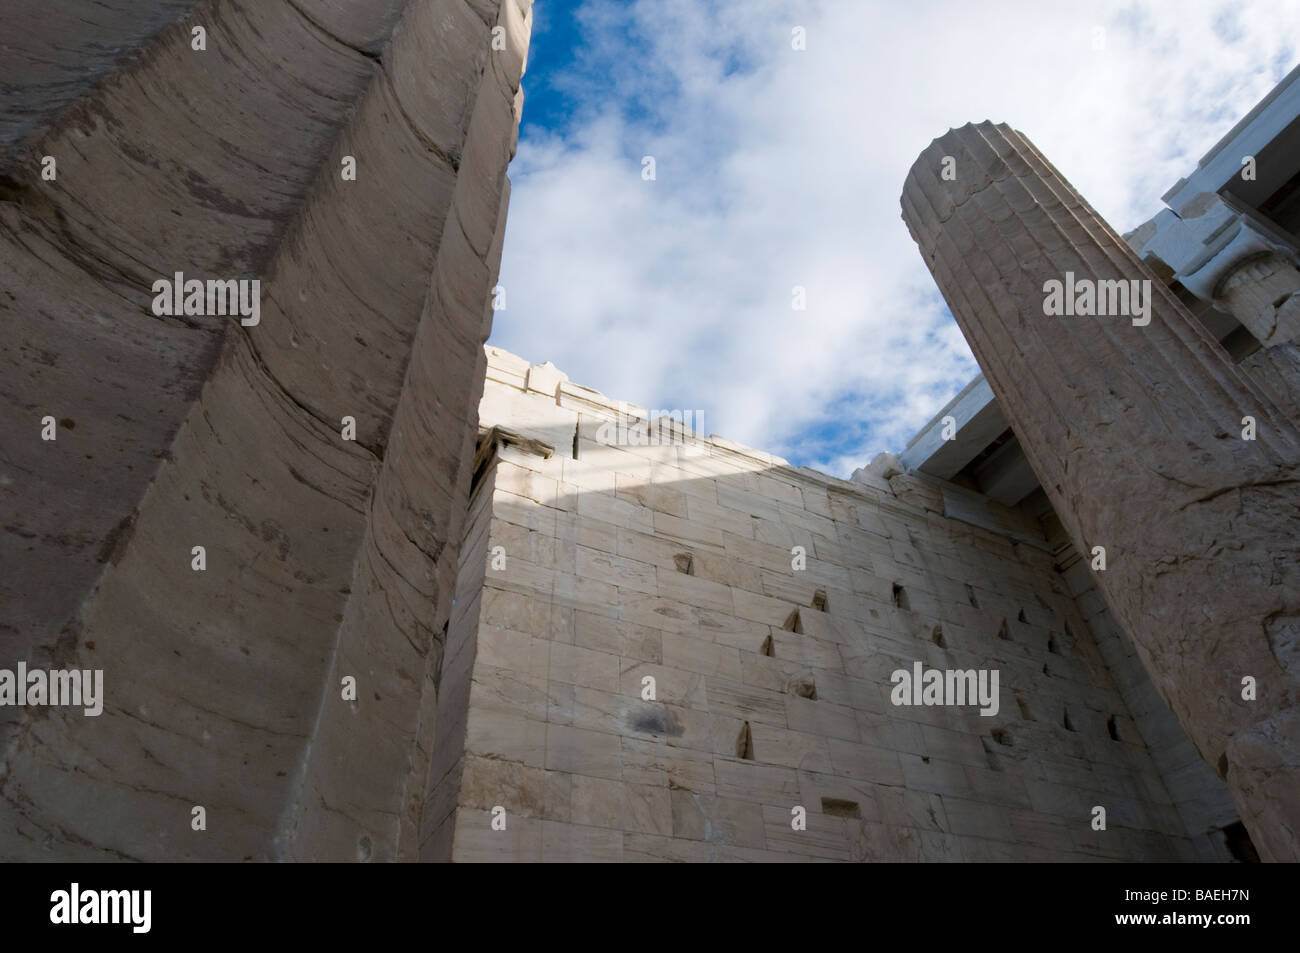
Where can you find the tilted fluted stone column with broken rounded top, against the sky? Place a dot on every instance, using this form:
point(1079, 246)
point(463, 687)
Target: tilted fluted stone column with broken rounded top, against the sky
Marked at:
point(1134, 426)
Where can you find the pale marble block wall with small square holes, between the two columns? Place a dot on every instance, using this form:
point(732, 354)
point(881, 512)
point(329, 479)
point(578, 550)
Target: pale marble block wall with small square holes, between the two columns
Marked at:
point(603, 566)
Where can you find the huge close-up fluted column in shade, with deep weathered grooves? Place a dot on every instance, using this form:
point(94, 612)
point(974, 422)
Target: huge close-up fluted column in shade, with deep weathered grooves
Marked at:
point(324, 557)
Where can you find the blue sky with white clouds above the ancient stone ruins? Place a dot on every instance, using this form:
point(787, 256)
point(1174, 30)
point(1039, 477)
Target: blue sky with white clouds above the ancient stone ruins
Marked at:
point(781, 168)
